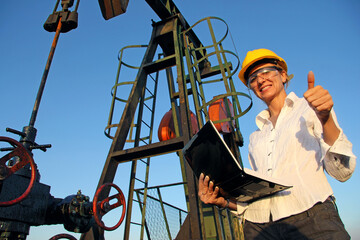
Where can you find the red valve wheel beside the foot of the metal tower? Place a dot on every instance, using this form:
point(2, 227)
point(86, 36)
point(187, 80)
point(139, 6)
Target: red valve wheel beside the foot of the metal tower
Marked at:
point(104, 206)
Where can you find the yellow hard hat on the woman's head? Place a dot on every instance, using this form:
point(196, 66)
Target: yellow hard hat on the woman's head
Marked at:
point(257, 55)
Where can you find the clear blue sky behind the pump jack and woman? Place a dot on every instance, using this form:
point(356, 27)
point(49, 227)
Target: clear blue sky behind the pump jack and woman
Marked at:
point(322, 36)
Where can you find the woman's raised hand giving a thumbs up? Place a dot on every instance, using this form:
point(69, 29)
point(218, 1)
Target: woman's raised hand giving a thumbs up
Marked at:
point(319, 99)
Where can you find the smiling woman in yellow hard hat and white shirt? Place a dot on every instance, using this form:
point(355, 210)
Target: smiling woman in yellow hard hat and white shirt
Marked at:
point(297, 139)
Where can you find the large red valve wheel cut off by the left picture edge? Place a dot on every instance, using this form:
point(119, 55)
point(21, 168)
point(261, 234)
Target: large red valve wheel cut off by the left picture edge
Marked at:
point(6, 171)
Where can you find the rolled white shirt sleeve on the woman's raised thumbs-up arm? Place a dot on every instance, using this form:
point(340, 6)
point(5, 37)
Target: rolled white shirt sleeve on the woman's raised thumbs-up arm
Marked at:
point(339, 161)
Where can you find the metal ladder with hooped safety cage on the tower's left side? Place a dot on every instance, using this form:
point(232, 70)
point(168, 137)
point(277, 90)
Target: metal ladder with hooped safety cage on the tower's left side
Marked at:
point(140, 134)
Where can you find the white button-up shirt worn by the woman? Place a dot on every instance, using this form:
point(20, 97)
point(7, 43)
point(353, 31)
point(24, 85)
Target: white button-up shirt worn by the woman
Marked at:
point(294, 152)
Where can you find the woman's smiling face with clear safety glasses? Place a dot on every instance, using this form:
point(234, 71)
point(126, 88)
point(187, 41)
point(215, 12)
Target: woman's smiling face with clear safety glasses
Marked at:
point(268, 84)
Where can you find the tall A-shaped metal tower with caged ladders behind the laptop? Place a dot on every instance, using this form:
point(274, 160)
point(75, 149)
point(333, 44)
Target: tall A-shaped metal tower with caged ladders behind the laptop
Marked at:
point(188, 67)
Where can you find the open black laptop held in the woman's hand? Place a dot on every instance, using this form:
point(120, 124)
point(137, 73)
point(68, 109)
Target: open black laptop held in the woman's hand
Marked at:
point(208, 153)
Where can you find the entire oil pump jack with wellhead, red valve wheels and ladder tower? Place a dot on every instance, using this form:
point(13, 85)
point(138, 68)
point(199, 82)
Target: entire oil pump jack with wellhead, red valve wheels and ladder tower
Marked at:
point(184, 54)
